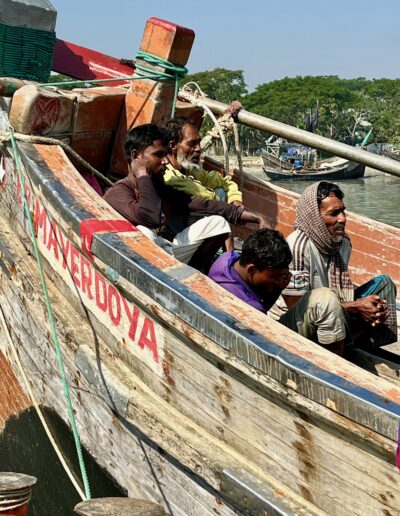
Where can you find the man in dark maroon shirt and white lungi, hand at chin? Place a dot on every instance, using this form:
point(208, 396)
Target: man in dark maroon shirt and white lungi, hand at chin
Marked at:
point(139, 198)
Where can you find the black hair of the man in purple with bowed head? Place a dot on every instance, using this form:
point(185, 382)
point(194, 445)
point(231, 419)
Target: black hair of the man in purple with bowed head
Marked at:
point(266, 249)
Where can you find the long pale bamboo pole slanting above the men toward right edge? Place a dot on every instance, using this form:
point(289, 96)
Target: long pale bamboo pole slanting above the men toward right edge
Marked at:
point(299, 135)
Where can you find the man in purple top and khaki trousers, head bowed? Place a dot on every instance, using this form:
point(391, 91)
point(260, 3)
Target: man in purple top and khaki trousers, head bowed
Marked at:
point(259, 275)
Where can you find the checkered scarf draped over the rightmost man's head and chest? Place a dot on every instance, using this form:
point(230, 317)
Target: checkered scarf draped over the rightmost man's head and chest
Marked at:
point(310, 222)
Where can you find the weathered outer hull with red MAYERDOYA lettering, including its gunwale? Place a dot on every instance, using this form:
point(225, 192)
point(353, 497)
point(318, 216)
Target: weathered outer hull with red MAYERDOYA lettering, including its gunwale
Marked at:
point(201, 399)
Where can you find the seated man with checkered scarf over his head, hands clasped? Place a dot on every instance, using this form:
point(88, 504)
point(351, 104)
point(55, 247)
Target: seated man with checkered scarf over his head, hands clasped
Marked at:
point(321, 252)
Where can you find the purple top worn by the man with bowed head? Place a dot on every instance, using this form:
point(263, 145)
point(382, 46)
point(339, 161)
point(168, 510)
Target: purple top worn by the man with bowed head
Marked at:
point(223, 273)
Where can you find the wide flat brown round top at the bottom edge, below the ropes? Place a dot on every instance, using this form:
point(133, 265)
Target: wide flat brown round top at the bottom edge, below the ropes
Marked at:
point(119, 507)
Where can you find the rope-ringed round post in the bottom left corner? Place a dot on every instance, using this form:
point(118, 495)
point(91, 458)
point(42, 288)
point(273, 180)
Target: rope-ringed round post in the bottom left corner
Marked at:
point(15, 493)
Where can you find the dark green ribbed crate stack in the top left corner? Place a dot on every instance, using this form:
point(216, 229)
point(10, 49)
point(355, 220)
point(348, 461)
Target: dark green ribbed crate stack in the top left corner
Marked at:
point(26, 53)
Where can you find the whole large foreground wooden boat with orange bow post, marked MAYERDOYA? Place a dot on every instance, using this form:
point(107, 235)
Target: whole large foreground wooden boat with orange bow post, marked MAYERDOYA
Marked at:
point(184, 394)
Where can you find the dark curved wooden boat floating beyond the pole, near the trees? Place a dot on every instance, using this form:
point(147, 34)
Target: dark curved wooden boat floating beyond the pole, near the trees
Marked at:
point(303, 169)
